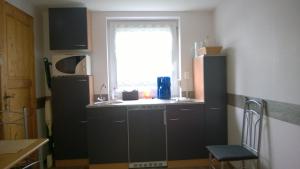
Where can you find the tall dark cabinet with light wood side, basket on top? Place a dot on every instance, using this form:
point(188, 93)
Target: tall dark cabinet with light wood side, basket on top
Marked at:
point(210, 86)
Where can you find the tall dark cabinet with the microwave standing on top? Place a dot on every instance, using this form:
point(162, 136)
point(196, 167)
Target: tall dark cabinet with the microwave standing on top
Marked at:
point(70, 95)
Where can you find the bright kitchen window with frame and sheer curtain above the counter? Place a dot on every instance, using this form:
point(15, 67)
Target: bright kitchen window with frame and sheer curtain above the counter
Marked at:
point(139, 51)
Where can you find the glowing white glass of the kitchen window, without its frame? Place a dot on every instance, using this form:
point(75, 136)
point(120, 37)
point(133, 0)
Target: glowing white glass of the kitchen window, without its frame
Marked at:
point(142, 55)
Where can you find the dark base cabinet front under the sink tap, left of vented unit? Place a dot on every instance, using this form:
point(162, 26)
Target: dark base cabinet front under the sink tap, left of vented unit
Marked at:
point(107, 135)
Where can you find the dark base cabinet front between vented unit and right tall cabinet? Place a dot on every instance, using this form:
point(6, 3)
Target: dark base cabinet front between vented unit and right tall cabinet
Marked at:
point(185, 132)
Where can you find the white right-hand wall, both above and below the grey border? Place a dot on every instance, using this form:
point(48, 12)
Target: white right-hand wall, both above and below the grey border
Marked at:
point(262, 40)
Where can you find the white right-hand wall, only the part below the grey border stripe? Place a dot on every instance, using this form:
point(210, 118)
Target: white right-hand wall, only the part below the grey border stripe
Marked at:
point(279, 144)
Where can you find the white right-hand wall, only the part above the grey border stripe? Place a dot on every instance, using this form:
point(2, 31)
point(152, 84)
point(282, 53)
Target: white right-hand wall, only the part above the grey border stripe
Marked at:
point(263, 40)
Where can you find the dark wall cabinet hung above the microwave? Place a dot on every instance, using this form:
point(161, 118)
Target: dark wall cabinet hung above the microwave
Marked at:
point(68, 29)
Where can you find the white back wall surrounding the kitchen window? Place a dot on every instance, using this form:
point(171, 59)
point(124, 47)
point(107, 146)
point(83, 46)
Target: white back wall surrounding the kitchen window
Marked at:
point(195, 26)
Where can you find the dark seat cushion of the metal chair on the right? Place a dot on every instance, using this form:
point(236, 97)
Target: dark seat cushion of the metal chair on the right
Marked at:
point(230, 152)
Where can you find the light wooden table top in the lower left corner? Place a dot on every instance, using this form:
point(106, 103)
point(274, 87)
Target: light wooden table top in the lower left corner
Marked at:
point(8, 160)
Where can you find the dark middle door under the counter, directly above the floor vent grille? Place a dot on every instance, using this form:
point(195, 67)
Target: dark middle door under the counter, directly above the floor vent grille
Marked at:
point(147, 138)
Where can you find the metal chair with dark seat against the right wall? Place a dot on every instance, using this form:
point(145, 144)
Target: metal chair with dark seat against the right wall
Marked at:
point(251, 136)
